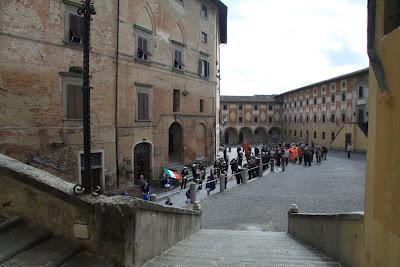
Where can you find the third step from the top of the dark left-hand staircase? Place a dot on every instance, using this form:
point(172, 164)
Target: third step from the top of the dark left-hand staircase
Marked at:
point(51, 252)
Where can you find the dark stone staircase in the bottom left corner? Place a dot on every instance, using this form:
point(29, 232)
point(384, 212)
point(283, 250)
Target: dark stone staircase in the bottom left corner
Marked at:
point(22, 245)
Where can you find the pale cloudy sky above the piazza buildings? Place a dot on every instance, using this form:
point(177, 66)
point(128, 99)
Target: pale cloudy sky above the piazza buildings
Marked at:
point(279, 45)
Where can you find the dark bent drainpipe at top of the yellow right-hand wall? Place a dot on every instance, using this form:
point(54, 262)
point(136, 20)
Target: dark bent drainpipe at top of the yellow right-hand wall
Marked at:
point(373, 56)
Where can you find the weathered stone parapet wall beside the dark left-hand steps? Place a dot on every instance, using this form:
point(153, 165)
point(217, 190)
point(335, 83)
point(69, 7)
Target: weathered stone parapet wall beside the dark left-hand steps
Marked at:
point(126, 229)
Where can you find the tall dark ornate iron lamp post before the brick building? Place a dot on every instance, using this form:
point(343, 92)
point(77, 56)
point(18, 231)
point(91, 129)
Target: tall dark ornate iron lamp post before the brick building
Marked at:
point(87, 10)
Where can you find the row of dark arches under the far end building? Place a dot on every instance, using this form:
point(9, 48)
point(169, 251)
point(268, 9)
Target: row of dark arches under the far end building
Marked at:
point(234, 136)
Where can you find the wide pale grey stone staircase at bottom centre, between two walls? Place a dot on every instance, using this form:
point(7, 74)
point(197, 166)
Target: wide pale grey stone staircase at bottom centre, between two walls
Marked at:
point(241, 248)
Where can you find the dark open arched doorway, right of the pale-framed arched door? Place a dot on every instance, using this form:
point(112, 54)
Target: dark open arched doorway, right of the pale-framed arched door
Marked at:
point(175, 143)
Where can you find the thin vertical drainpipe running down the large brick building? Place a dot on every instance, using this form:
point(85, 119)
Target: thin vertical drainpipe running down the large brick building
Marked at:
point(116, 98)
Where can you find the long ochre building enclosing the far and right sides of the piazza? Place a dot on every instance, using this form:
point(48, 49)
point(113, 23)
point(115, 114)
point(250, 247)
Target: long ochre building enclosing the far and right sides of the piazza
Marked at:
point(332, 112)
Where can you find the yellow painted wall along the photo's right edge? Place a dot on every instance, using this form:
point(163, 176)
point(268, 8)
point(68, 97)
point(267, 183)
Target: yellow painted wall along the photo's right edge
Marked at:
point(382, 189)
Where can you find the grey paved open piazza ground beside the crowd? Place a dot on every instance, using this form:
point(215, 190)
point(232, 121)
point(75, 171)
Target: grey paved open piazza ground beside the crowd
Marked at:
point(336, 185)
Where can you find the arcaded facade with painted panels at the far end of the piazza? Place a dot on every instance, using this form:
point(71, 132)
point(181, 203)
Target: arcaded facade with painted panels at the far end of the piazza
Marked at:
point(251, 119)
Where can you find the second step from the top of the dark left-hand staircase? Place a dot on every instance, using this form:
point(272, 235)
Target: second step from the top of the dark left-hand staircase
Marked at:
point(20, 238)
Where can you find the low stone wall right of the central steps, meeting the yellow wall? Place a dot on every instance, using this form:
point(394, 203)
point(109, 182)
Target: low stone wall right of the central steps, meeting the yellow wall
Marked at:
point(340, 236)
